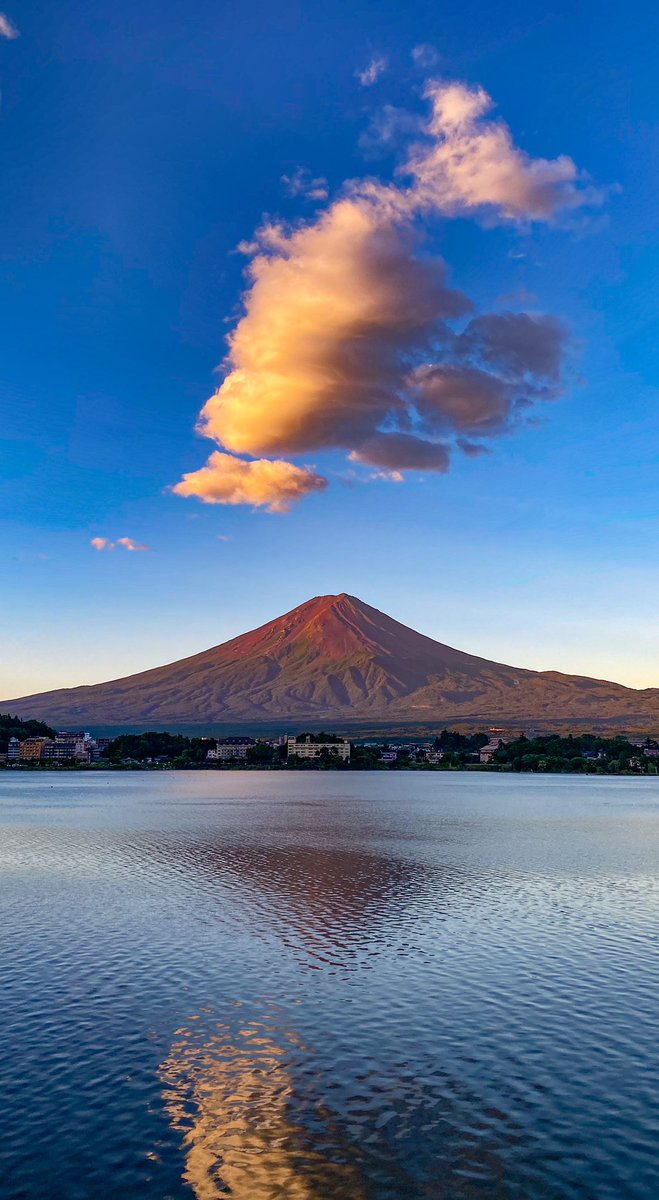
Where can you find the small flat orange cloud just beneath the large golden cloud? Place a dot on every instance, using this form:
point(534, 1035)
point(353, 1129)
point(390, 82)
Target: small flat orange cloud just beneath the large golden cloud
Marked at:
point(274, 487)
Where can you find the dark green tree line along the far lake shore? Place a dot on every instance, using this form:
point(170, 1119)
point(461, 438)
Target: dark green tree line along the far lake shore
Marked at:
point(584, 754)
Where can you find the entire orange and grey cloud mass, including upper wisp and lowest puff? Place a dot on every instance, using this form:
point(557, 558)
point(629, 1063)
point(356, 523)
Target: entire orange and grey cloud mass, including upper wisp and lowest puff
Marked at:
point(349, 338)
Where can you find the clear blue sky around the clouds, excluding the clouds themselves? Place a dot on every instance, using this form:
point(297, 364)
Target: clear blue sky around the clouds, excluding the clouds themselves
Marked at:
point(142, 143)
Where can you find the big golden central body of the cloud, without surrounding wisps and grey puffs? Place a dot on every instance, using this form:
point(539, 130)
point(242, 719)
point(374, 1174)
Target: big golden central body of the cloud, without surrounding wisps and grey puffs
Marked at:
point(321, 353)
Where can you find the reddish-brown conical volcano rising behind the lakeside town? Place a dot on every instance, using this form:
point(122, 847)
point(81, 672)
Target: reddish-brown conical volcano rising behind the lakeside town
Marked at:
point(338, 661)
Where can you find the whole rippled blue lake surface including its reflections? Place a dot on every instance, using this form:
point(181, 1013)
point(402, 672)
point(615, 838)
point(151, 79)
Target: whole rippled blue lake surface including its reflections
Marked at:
point(315, 986)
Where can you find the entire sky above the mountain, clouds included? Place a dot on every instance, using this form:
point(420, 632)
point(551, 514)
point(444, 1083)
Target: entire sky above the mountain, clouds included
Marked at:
point(141, 151)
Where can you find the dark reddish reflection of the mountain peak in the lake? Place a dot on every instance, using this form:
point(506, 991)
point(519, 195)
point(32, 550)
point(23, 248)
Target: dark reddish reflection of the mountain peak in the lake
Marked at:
point(337, 909)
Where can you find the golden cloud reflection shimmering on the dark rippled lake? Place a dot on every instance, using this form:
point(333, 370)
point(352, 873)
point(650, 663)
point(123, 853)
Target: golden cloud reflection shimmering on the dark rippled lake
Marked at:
point(232, 1096)
